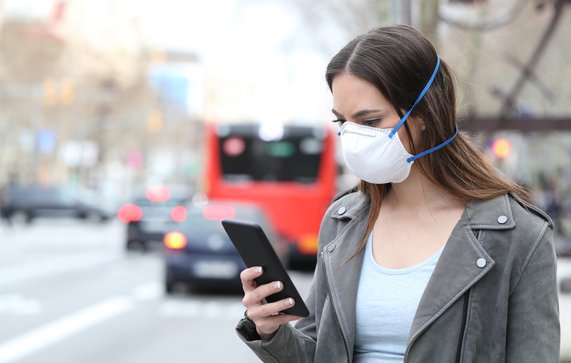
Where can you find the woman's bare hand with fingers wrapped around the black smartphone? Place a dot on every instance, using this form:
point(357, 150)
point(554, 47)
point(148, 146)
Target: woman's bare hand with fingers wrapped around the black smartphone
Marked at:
point(266, 316)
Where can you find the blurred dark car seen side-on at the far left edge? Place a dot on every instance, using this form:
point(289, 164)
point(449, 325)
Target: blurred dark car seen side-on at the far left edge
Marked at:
point(28, 202)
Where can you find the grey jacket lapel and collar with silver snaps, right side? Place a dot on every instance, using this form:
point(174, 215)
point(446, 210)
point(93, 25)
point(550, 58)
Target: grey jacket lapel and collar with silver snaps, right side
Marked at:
point(463, 261)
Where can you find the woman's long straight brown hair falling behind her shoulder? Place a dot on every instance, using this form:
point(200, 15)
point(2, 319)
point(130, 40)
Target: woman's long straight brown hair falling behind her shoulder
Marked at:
point(398, 60)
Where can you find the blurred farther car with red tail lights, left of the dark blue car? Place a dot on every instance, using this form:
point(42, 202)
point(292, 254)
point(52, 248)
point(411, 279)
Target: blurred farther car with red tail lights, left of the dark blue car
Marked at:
point(149, 215)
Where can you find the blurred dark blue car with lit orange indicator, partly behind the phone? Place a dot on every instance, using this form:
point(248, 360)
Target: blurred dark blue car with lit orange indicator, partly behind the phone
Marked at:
point(200, 254)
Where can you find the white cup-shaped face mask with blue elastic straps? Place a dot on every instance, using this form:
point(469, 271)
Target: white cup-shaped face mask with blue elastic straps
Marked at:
point(377, 155)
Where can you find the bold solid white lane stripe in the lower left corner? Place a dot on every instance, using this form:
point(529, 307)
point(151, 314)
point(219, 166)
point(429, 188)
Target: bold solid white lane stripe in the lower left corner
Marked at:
point(62, 328)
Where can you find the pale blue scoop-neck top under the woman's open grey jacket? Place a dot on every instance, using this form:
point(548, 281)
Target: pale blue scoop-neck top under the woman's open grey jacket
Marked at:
point(387, 300)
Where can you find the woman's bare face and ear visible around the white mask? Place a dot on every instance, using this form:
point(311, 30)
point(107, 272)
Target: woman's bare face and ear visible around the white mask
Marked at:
point(359, 101)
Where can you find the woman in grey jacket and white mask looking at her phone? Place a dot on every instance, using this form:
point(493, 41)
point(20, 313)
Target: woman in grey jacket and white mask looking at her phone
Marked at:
point(437, 257)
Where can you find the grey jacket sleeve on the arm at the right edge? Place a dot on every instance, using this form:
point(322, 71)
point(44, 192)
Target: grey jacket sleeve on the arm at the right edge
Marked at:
point(533, 322)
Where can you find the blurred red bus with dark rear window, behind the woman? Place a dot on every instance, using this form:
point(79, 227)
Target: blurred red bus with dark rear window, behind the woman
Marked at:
point(289, 170)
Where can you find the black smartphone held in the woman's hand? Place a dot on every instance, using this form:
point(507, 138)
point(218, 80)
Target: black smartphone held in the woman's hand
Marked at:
point(255, 249)
